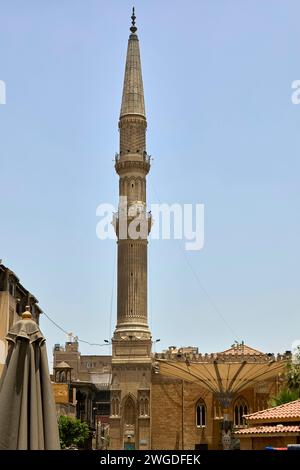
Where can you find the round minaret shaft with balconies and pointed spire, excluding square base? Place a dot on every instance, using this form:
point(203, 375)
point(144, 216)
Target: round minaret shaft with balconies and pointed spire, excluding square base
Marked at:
point(132, 165)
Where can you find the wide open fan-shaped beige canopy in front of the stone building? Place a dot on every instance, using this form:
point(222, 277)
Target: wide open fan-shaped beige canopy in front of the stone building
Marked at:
point(222, 377)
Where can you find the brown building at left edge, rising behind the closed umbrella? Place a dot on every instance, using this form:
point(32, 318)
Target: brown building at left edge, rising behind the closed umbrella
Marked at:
point(13, 301)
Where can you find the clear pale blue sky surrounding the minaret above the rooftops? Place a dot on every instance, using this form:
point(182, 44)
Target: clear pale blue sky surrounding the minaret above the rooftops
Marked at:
point(222, 130)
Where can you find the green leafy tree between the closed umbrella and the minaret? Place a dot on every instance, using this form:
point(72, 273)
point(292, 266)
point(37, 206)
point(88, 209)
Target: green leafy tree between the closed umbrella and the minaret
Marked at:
point(72, 431)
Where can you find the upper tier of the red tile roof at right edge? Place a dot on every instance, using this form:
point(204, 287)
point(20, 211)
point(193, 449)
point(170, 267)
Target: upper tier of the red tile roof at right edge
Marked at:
point(287, 411)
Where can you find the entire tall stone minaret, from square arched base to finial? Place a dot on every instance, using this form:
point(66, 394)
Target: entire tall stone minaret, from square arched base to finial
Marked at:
point(131, 342)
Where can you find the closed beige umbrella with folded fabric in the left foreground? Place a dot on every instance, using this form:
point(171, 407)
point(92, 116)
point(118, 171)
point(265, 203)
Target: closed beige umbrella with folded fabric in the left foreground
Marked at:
point(27, 410)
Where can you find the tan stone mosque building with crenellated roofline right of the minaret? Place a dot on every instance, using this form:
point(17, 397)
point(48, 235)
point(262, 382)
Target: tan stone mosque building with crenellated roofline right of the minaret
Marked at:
point(186, 415)
